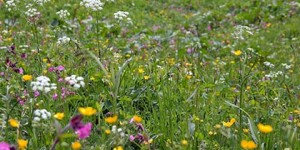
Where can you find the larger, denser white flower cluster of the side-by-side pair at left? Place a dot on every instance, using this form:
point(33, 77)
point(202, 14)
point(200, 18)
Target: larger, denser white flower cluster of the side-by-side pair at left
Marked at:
point(42, 84)
